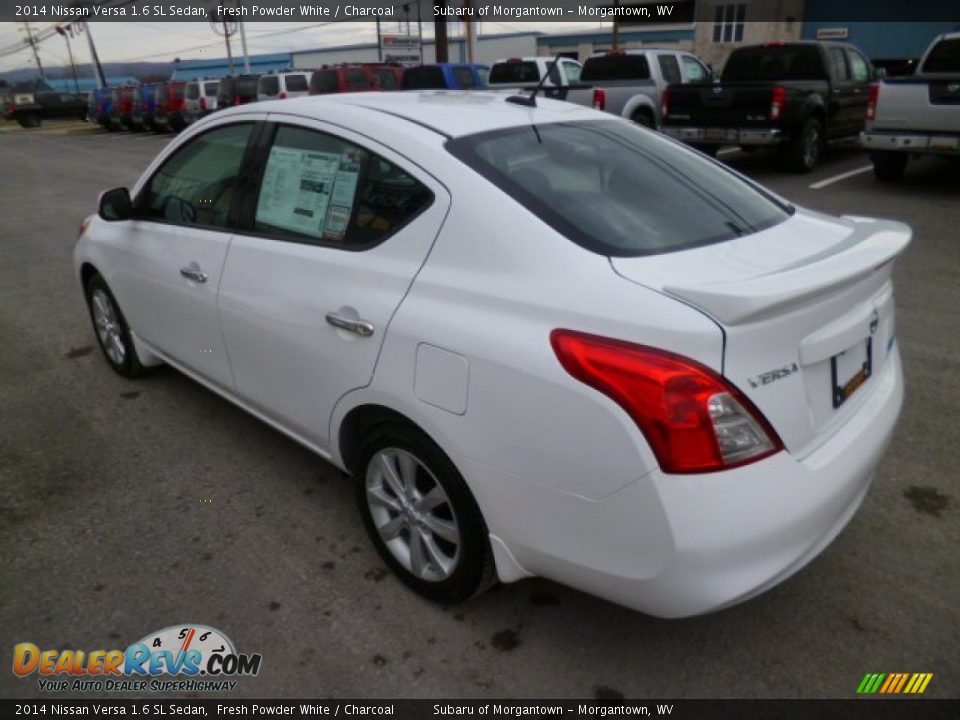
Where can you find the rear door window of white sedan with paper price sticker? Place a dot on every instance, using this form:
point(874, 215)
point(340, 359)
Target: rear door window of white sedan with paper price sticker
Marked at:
point(320, 189)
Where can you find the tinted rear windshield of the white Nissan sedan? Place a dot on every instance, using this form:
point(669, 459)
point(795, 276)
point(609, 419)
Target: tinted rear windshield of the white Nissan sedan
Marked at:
point(616, 189)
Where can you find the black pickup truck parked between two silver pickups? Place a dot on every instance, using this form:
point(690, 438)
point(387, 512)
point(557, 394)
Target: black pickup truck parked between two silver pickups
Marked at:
point(795, 96)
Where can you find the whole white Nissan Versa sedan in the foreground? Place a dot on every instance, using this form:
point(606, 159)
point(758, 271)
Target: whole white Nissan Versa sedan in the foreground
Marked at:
point(543, 341)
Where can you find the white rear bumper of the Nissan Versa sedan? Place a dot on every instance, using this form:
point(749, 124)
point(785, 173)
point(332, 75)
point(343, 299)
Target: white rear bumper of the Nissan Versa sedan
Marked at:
point(676, 546)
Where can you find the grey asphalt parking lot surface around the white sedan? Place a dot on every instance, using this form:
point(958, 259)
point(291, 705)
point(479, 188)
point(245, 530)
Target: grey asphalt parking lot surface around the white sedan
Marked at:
point(126, 507)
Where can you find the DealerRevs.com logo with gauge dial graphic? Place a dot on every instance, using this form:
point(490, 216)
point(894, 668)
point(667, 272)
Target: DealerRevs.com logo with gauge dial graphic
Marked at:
point(200, 658)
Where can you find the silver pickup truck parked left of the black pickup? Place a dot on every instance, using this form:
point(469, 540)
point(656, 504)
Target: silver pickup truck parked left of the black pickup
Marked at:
point(630, 83)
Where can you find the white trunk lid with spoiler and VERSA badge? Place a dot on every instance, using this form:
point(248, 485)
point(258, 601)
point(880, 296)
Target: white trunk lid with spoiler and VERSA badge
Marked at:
point(807, 312)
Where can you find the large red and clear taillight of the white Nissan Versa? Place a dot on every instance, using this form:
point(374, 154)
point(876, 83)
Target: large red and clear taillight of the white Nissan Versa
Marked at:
point(692, 418)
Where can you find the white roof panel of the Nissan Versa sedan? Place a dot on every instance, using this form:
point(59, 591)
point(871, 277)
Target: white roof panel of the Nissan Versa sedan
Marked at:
point(451, 112)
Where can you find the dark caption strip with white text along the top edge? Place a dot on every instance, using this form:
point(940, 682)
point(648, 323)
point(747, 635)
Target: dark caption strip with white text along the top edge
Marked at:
point(628, 12)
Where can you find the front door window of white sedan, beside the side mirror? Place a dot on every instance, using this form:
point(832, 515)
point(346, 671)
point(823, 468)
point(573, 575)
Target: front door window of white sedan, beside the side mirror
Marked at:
point(196, 185)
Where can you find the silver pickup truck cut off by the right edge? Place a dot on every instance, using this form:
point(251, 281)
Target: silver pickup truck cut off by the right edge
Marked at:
point(916, 115)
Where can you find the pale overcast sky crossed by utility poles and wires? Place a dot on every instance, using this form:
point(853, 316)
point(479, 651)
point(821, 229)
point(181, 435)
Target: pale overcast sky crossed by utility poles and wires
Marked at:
point(133, 41)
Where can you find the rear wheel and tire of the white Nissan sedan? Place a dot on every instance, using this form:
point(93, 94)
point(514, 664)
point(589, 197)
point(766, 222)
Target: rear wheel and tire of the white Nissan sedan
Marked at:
point(421, 516)
